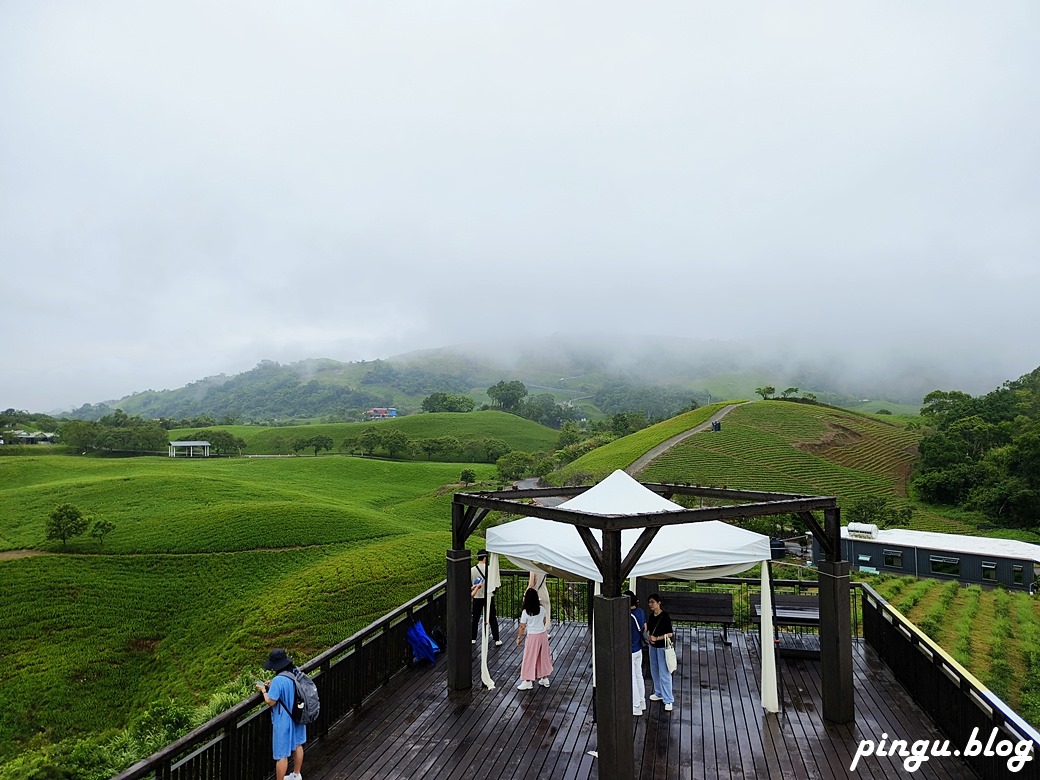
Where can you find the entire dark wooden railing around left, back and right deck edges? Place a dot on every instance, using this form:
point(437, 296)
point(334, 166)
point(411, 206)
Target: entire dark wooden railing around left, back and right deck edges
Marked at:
point(237, 744)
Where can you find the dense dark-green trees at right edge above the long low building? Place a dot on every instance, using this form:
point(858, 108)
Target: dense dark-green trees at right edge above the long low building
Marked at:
point(983, 454)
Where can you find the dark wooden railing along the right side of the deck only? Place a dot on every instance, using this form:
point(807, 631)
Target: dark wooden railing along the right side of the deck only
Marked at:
point(959, 705)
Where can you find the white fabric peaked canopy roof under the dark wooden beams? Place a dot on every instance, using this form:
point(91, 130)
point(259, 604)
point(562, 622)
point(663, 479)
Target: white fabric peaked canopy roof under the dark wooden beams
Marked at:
point(690, 552)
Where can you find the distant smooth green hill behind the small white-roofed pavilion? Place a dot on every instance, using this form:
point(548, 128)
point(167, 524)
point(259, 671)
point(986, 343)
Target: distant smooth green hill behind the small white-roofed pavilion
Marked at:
point(516, 432)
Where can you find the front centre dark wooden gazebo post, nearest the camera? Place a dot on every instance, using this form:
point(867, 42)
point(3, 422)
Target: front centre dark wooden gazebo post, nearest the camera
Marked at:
point(614, 670)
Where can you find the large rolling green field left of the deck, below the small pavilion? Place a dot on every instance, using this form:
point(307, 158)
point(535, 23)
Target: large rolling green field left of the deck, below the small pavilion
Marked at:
point(295, 552)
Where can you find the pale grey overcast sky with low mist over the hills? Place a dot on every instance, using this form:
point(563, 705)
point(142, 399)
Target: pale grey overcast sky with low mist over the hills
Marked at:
point(188, 189)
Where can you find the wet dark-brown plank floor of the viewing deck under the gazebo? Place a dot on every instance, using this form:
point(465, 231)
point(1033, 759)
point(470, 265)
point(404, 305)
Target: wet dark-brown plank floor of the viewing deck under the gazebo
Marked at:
point(418, 730)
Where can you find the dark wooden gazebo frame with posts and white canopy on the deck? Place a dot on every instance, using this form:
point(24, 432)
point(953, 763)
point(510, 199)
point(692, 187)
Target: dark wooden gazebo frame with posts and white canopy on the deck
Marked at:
point(618, 540)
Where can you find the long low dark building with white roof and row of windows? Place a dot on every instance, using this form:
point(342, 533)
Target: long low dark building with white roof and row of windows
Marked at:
point(972, 560)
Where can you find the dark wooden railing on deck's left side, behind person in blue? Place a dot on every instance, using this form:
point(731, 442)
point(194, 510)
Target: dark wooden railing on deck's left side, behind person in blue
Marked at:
point(237, 744)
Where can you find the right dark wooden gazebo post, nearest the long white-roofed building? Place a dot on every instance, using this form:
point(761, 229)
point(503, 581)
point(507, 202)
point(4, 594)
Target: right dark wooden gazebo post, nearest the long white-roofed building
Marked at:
point(836, 628)
